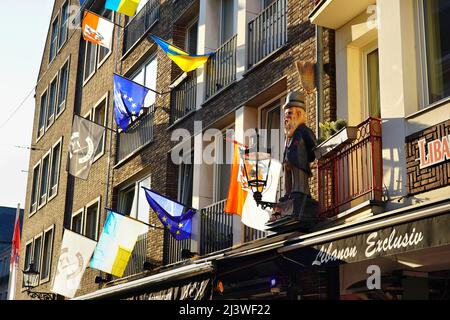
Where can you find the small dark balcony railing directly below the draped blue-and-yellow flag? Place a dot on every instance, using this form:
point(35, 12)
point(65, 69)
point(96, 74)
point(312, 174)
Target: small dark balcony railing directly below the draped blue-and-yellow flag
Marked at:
point(183, 98)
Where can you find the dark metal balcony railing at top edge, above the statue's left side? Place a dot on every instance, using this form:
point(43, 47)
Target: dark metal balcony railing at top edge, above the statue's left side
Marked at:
point(267, 32)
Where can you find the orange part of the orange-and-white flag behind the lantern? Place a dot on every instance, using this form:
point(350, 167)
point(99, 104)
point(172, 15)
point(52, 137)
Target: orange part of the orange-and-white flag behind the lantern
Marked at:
point(236, 194)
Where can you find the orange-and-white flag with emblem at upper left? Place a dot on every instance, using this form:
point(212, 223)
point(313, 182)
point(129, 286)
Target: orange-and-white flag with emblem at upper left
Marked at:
point(97, 30)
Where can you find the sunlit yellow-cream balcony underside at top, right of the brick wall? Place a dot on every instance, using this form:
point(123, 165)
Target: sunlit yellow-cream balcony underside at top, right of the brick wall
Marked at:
point(334, 14)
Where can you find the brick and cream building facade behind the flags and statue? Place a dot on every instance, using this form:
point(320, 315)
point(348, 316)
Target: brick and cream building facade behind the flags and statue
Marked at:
point(379, 65)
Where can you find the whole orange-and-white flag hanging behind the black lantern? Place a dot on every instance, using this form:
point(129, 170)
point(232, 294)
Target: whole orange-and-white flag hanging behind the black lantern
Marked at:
point(240, 199)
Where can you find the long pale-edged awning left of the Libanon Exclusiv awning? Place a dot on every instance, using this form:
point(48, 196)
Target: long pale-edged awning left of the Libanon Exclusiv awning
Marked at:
point(129, 288)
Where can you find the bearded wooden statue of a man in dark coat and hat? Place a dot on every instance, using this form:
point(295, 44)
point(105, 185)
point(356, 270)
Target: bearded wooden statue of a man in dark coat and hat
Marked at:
point(298, 154)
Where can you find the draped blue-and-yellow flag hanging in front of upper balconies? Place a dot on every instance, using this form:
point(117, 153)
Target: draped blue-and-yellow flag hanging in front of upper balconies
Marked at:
point(187, 62)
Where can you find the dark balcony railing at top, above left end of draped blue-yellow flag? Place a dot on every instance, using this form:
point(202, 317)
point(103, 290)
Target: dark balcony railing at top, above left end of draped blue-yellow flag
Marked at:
point(140, 24)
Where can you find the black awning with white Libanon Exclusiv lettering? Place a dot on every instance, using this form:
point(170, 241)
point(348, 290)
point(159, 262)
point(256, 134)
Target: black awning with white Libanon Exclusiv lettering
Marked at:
point(386, 235)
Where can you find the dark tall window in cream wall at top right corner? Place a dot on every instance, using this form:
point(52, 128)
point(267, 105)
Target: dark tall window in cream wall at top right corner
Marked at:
point(437, 49)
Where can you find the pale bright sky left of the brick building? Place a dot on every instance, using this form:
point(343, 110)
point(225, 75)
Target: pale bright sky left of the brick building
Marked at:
point(23, 35)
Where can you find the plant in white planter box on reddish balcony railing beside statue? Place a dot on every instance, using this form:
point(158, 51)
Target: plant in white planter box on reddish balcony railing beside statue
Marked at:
point(335, 134)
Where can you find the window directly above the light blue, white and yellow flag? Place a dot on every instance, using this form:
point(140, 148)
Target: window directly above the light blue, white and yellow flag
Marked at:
point(132, 200)
